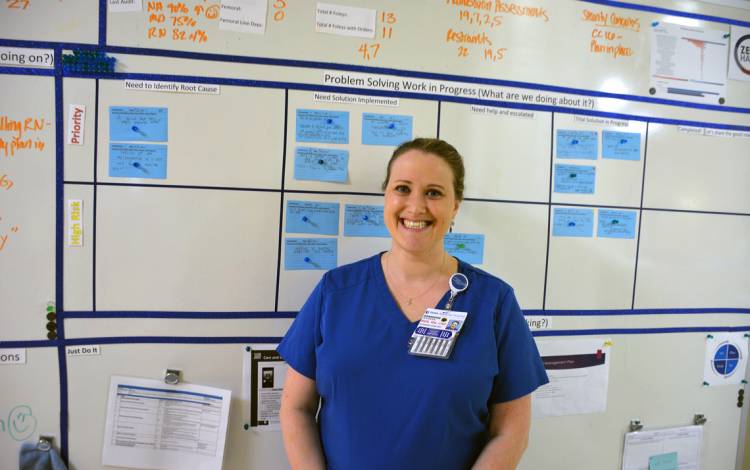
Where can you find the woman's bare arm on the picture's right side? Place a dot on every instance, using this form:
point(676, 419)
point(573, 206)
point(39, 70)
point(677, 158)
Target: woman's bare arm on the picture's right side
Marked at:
point(509, 434)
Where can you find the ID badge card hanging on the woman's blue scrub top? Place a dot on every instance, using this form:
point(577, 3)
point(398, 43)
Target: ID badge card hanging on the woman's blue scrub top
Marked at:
point(436, 333)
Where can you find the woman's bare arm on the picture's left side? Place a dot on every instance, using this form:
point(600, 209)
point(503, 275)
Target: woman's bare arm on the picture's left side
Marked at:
point(299, 403)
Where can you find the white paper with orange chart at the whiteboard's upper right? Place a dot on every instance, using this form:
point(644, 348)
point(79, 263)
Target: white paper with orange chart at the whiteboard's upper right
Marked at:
point(689, 64)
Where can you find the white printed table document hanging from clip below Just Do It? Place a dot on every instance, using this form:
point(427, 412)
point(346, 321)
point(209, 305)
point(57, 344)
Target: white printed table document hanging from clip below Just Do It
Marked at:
point(154, 425)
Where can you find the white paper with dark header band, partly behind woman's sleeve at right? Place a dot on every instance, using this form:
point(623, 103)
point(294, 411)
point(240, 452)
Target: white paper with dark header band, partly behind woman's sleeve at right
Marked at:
point(578, 371)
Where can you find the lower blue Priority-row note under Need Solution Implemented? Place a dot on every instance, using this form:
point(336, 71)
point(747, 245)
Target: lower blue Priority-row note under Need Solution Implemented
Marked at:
point(321, 164)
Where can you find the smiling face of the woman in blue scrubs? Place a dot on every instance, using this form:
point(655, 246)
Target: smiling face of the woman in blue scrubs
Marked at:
point(420, 202)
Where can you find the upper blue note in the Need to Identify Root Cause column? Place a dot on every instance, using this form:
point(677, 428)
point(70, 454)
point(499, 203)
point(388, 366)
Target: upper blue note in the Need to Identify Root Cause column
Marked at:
point(138, 123)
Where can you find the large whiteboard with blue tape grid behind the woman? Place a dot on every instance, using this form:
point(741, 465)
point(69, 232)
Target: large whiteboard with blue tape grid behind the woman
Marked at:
point(199, 255)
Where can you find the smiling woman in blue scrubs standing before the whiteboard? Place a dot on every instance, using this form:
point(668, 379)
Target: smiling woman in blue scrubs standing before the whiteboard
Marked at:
point(355, 398)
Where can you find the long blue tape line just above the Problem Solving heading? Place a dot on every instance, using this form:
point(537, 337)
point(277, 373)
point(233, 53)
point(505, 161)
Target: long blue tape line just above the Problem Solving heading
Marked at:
point(366, 69)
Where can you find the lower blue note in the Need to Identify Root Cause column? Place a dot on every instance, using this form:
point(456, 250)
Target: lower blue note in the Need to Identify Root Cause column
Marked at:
point(138, 160)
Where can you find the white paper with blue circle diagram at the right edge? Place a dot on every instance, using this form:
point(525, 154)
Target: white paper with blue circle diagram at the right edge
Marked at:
point(726, 359)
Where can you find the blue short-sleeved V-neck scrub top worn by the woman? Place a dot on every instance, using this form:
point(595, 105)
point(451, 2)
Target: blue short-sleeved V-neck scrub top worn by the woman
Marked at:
point(383, 408)
